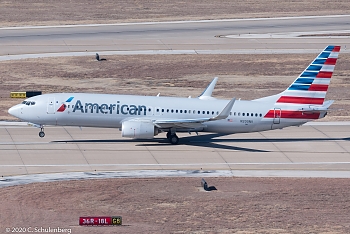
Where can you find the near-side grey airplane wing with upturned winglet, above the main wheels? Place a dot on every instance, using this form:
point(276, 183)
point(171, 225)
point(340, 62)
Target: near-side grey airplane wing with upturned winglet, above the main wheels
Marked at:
point(194, 123)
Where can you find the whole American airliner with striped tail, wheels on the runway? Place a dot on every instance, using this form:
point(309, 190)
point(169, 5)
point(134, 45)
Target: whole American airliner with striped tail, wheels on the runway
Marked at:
point(143, 117)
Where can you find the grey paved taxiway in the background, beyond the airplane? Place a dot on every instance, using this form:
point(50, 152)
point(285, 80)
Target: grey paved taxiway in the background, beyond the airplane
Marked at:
point(206, 35)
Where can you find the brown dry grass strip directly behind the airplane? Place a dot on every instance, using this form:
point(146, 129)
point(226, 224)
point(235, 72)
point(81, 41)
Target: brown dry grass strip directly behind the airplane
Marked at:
point(241, 76)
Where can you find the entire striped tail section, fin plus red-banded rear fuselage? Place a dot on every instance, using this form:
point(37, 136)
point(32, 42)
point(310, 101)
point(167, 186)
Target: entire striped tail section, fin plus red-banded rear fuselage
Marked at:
point(304, 99)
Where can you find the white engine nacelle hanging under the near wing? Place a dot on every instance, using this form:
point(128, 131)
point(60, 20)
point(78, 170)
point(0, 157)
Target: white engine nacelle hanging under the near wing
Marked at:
point(139, 129)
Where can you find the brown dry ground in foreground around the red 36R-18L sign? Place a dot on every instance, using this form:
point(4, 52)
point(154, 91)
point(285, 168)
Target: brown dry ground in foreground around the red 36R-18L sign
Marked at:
point(179, 205)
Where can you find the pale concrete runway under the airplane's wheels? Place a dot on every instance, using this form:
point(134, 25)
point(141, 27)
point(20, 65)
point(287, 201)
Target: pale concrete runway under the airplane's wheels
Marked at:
point(314, 147)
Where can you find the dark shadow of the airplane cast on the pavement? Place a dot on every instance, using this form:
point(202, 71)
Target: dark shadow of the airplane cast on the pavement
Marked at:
point(207, 141)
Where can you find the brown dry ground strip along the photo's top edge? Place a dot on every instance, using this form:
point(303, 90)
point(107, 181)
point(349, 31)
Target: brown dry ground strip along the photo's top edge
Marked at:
point(52, 12)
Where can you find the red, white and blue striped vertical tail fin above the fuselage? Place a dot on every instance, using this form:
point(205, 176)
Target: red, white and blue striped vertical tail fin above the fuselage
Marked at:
point(312, 84)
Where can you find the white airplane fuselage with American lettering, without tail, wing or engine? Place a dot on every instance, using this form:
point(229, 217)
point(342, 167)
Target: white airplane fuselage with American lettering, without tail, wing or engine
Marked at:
point(107, 110)
